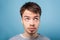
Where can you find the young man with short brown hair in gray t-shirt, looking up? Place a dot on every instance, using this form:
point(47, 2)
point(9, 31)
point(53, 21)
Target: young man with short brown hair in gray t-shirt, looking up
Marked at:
point(30, 14)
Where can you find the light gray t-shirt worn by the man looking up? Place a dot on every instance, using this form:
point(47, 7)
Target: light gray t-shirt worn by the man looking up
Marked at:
point(21, 37)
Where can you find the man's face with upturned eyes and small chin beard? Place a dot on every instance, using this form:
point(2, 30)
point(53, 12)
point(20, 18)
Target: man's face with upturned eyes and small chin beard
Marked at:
point(30, 21)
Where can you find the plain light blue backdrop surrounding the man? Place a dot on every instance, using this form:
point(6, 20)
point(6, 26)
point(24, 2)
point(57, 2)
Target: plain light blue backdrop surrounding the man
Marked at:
point(10, 20)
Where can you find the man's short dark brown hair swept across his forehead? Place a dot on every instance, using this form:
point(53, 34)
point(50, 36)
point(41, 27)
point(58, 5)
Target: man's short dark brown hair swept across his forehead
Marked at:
point(31, 6)
